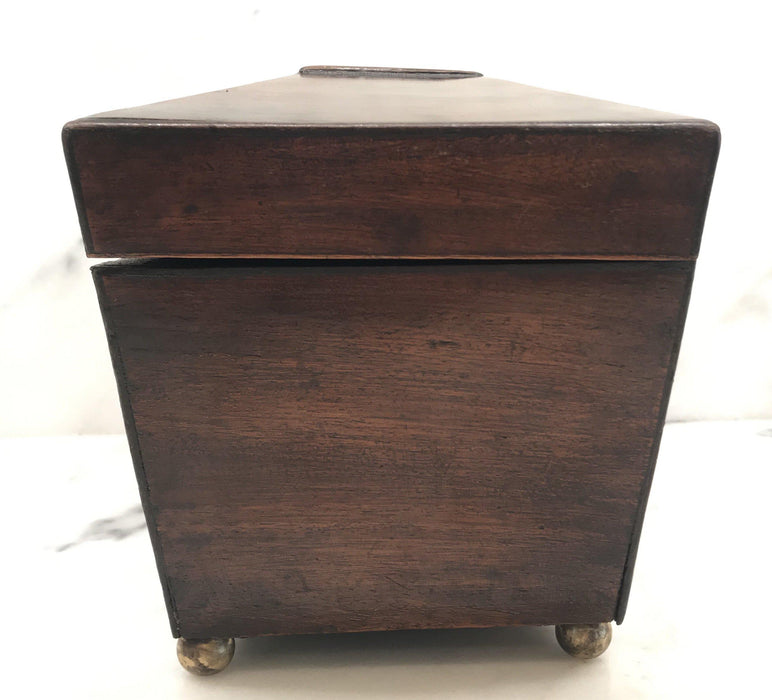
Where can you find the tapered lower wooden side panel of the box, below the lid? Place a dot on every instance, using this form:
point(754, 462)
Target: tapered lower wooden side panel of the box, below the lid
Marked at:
point(343, 447)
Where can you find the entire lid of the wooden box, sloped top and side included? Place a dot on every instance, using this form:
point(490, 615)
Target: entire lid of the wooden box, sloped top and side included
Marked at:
point(349, 162)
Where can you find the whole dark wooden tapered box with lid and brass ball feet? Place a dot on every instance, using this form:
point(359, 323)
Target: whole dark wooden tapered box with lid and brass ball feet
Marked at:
point(393, 347)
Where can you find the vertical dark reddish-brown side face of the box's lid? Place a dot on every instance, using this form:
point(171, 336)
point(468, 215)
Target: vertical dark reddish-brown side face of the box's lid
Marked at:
point(546, 191)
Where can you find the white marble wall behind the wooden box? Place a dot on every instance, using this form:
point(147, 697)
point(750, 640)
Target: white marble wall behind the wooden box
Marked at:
point(66, 60)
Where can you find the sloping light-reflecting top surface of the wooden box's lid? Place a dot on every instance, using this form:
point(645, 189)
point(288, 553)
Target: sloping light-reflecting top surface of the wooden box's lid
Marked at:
point(365, 96)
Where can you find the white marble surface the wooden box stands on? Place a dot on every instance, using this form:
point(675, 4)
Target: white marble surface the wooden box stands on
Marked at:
point(84, 616)
